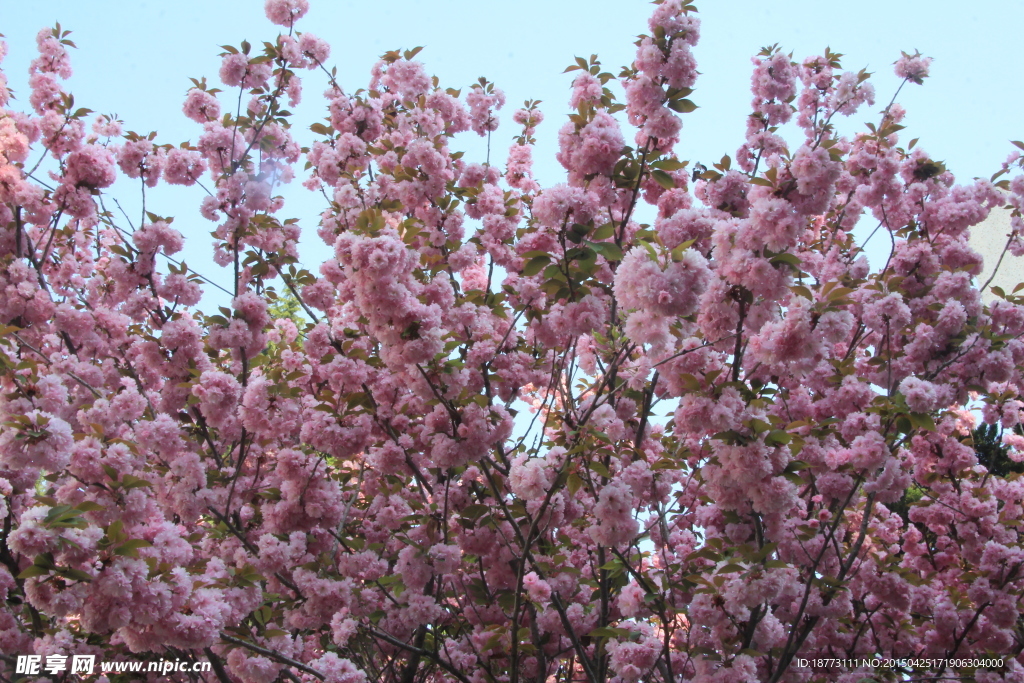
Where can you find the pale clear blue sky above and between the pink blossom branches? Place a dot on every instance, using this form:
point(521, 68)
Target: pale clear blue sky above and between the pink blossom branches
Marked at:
point(136, 59)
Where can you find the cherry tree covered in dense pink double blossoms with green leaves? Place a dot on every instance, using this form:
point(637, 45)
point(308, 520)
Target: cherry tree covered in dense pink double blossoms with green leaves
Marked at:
point(660, 422)
